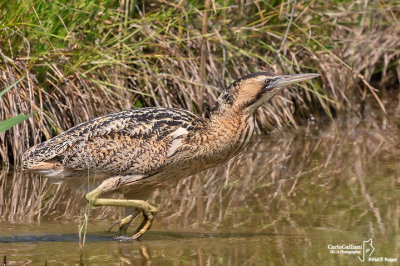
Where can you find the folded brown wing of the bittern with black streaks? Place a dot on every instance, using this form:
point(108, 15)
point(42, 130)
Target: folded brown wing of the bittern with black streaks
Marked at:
point(136, 141)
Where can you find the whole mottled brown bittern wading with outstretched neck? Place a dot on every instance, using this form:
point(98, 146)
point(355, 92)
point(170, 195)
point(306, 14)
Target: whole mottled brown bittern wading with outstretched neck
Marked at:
point(138, 150)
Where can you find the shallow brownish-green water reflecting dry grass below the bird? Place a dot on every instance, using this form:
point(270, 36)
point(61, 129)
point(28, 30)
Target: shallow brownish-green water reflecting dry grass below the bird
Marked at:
point(285, 200)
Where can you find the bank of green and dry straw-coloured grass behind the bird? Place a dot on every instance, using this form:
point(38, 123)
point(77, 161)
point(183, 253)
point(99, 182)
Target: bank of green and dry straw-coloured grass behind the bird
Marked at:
point(85, 58)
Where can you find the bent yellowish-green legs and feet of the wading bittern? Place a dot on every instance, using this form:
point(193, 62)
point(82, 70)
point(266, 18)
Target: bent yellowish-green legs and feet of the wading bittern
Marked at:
point(149, 212)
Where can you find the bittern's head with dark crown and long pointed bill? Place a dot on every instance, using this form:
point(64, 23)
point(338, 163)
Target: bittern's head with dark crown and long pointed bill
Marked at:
point(253, 90)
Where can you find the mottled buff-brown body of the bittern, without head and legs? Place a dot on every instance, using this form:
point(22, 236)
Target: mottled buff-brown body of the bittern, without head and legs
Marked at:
point(160, 142)
